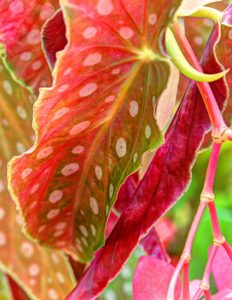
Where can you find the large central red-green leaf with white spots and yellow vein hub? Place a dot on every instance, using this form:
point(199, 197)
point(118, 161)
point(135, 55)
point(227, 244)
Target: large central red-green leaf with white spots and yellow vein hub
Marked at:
point(95, 122)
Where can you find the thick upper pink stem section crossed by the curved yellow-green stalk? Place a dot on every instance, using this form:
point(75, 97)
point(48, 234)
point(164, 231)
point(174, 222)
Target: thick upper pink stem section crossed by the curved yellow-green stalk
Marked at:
point(204, 88)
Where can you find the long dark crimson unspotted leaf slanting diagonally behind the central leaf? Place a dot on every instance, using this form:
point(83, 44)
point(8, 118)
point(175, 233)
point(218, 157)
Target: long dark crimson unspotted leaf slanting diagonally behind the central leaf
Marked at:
point(165, 181)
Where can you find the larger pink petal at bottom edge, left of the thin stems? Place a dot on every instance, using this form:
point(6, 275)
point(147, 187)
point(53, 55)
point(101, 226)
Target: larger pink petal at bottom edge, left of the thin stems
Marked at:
point(151, 279)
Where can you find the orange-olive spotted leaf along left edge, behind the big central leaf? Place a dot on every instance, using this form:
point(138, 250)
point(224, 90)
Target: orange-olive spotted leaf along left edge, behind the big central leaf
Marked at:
point(42, 273)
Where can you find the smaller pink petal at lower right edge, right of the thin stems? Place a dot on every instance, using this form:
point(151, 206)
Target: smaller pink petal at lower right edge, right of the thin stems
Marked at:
point(222, 270)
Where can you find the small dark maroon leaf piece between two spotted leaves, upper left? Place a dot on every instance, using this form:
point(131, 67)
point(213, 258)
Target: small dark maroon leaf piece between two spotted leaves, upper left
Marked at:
point(53, 37)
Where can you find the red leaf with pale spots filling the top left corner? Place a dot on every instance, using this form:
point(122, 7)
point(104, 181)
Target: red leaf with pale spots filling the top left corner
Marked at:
point(20, 25)
